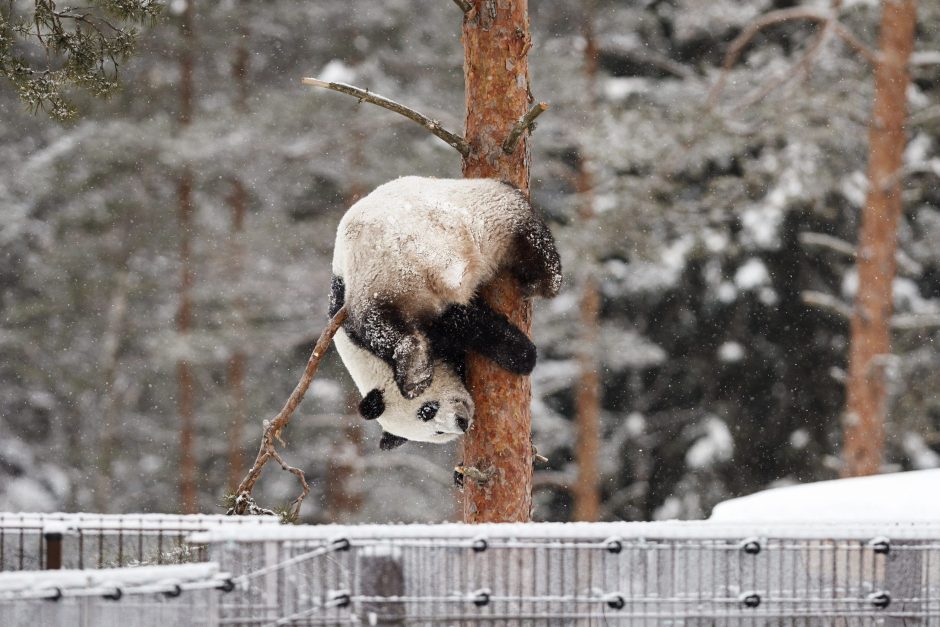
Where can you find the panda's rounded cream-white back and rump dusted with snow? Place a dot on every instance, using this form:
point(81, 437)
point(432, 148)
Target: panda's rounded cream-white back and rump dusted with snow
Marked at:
point(449, 236)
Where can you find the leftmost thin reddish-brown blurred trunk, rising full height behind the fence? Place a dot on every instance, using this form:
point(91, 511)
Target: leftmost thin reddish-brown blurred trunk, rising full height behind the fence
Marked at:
point(184, 313)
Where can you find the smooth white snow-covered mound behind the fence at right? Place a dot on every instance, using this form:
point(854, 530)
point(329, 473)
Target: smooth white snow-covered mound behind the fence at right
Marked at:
point(909, 497)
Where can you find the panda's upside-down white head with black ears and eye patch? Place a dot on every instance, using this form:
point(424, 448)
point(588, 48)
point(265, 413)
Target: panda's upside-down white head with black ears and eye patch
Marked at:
point(441, 414)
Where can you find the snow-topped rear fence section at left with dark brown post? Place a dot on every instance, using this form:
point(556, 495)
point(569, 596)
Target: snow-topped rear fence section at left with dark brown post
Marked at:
point(31, 541)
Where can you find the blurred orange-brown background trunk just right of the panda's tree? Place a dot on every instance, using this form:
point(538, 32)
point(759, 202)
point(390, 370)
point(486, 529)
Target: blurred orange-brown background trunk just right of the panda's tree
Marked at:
point(587, 503)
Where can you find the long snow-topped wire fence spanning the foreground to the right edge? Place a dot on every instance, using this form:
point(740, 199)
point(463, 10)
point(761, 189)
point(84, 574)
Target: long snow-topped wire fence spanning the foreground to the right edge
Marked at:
point(688, 573)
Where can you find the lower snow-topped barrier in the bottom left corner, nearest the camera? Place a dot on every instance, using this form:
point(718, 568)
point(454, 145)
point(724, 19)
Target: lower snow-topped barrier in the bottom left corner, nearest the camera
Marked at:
point(157, 596)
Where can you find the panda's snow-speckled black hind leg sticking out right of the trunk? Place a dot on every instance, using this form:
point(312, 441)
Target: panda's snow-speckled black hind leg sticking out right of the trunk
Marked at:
point(534, 260)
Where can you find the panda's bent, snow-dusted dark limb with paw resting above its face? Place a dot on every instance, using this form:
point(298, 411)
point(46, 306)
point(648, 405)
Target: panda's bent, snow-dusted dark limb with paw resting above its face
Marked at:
point(385, 332)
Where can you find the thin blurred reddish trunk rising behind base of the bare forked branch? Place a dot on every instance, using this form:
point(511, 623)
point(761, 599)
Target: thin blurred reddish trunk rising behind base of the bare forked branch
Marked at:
point(238, 201)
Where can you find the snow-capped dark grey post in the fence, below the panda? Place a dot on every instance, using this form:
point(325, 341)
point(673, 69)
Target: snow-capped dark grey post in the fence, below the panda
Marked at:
point(380, 575)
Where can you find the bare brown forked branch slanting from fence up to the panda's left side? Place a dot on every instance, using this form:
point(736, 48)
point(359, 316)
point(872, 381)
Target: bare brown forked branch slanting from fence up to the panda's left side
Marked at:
point(273, 428)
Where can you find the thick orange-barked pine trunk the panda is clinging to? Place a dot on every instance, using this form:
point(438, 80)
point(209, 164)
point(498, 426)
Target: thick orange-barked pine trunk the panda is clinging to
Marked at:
point(496, 76)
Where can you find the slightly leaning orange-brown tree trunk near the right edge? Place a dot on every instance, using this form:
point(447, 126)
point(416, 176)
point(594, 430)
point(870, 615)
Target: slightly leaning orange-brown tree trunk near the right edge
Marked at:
point(877, 243)
